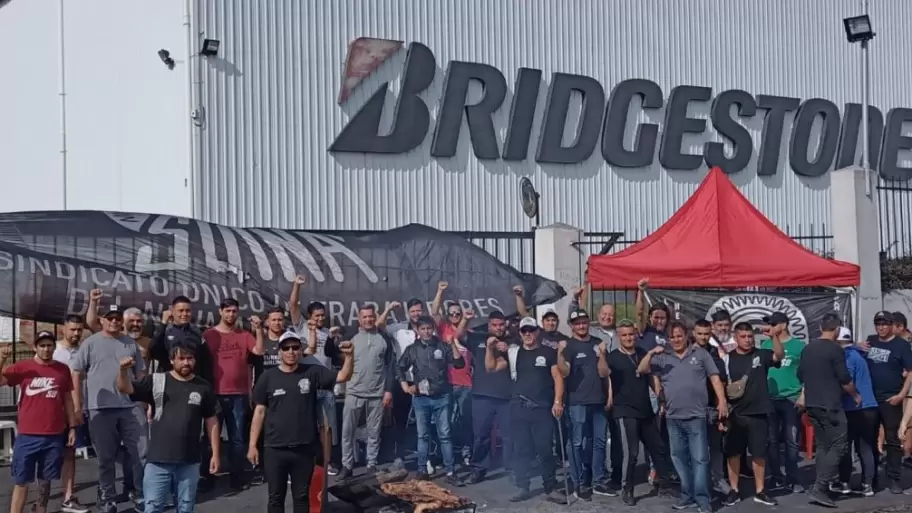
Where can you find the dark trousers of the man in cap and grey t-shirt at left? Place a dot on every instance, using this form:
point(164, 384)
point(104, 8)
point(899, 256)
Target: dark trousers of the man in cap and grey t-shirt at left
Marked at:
point(112, 428)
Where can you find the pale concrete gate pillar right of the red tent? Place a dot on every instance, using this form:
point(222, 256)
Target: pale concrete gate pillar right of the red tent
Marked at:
point(856, 238)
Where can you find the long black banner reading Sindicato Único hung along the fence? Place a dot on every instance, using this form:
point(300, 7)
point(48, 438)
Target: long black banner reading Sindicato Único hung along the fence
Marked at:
point(50, 261)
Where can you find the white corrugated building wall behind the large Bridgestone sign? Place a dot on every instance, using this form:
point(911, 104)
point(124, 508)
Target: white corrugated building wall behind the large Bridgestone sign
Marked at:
point(613, 110)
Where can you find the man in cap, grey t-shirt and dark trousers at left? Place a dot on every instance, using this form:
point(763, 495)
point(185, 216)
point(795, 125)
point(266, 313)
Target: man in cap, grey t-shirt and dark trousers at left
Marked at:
point(113, 419)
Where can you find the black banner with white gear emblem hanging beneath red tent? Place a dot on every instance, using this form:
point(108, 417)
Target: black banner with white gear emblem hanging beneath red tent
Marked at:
point(804, 310)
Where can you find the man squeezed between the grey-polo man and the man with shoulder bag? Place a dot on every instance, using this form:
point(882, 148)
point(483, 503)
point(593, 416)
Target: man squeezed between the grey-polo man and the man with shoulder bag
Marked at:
point(702, 333)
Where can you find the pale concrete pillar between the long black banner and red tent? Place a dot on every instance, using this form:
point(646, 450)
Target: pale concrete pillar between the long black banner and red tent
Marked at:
point(558, 259)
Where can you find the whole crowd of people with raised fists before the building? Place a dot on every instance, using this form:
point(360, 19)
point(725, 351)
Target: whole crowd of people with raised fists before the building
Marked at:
point(709, 404)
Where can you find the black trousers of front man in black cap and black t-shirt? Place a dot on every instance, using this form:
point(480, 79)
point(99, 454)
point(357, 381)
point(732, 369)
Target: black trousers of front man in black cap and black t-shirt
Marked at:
point(296, 464)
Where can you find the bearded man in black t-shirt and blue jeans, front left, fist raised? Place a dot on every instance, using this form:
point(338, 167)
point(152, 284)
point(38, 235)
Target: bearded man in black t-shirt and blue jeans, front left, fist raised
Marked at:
point(183, 402)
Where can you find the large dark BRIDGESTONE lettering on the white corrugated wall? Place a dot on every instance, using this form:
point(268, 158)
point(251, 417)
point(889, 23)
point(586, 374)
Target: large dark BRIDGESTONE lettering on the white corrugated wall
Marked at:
point(604, 117)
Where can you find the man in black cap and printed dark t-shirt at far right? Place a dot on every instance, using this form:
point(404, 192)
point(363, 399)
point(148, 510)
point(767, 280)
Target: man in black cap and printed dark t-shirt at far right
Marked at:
point(889, 361)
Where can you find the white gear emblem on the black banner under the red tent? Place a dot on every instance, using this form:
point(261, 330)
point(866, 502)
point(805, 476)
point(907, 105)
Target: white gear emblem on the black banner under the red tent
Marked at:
point(753, 308)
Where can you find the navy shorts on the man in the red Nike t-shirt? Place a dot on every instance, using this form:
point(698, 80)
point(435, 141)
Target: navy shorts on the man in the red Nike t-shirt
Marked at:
point(37, 457)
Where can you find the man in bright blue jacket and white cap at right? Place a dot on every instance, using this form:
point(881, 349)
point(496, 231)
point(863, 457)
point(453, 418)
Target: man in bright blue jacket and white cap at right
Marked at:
point(862, 421)
